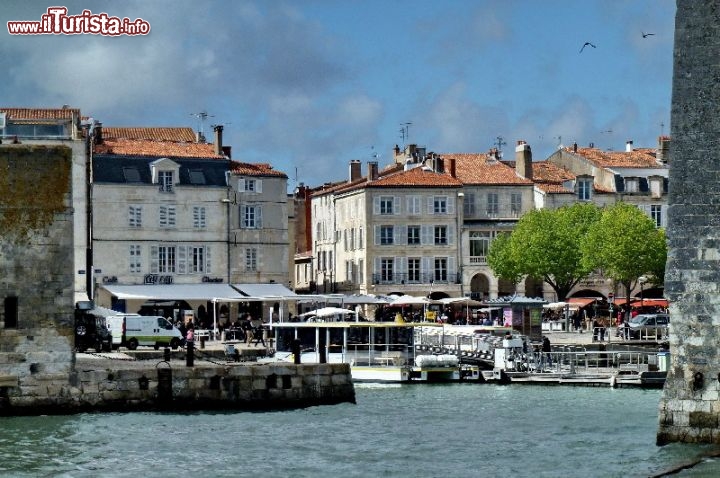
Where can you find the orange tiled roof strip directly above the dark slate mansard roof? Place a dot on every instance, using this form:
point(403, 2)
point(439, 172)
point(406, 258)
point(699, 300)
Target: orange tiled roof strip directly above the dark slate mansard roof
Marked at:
point(131, 147)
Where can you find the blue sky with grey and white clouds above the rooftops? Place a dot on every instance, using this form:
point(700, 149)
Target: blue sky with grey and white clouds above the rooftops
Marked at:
point(309, 85)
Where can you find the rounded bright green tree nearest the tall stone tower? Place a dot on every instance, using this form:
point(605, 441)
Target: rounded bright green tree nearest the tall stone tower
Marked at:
point(625, 245)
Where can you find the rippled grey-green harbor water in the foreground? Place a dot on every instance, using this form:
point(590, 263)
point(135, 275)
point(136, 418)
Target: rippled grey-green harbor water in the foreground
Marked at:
point(449, 430)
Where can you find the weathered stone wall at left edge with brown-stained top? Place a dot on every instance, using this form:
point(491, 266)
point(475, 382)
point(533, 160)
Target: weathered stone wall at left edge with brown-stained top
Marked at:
point(36, 267)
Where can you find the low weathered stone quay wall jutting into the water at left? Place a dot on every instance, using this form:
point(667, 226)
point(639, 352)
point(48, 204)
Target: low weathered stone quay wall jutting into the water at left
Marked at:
point(103, 385)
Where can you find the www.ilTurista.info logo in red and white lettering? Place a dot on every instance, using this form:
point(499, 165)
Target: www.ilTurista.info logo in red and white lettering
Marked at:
point(57, 22)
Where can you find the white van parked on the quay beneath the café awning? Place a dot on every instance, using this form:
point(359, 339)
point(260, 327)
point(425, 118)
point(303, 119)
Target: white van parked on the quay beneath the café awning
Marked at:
point(131, 330)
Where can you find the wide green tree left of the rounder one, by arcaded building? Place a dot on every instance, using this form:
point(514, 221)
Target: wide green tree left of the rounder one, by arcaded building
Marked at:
point(545, 245)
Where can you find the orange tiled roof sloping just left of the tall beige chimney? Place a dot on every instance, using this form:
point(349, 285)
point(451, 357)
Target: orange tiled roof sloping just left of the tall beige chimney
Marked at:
point(474, 168)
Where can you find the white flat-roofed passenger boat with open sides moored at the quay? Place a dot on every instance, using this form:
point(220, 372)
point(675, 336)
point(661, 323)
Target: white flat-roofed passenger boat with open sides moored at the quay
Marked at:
point(375, 351)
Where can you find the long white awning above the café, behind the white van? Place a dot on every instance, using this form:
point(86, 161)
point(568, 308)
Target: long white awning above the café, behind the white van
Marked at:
point(214, 292)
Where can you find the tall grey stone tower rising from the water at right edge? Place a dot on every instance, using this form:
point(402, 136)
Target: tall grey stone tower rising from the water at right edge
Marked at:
point(690, 409)
